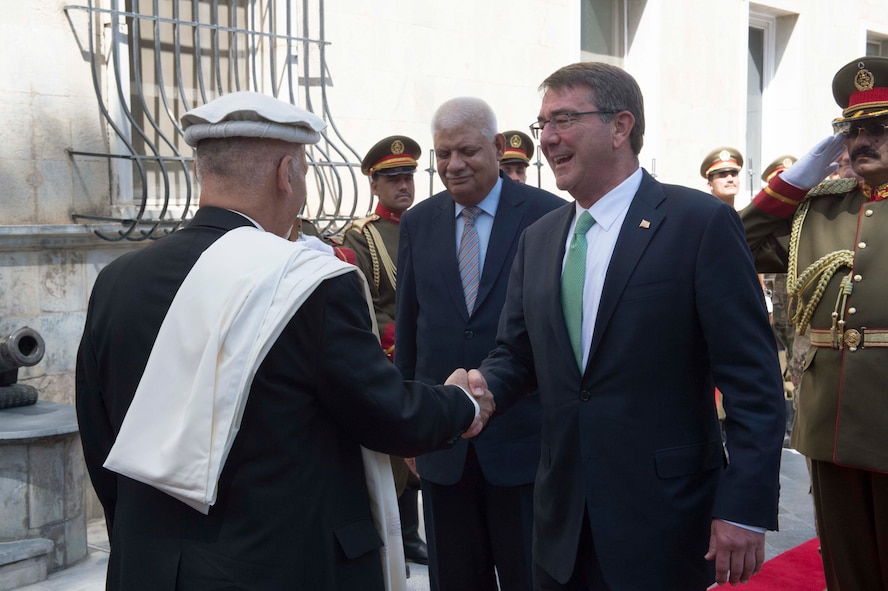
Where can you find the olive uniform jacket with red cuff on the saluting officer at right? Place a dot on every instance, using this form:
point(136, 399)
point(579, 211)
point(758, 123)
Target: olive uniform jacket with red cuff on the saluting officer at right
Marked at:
point(843, 411)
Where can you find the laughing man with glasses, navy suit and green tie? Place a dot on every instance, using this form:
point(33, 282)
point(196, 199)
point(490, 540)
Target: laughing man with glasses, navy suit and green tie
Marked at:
point(627, 326)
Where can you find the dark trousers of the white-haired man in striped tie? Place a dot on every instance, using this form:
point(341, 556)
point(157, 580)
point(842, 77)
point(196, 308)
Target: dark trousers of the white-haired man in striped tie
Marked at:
point(478, 533)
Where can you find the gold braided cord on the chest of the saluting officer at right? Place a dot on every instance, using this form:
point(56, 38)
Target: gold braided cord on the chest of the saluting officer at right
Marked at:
point(820, 272)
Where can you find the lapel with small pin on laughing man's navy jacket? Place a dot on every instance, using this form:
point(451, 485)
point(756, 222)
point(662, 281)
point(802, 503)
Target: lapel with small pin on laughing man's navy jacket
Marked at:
point(642, 221)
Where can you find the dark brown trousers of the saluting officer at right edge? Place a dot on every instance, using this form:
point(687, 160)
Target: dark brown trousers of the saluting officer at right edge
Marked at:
point(852, 516)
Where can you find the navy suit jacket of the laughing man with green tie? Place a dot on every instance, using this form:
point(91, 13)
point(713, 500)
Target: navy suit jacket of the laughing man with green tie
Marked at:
point(635, 439)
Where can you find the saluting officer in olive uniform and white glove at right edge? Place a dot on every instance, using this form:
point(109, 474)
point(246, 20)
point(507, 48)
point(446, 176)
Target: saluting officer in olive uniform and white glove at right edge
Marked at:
point(830, 239)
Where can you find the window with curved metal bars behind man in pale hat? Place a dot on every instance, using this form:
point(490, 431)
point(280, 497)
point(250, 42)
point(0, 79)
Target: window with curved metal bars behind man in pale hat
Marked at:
point(160, 59)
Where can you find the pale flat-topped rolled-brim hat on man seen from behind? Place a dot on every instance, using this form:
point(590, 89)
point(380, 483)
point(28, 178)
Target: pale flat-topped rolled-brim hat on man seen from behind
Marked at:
point(251, 114)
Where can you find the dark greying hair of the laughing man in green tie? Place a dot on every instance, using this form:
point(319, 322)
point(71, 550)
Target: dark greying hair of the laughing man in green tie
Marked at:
point(610, 88)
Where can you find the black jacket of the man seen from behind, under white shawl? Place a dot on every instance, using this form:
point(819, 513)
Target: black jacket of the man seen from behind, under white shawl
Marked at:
point(292, 509)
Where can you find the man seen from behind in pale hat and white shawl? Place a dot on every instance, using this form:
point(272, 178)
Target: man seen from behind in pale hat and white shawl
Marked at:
point(294, 508)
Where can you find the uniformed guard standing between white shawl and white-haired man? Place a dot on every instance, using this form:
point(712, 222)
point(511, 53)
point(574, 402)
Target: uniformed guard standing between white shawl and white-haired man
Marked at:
point(390, 164)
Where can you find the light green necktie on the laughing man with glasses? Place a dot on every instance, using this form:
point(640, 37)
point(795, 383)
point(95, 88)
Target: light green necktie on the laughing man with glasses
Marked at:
point(572, 285)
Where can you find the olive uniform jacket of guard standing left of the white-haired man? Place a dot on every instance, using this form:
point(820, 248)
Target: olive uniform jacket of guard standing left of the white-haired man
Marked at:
point(377, 261)
